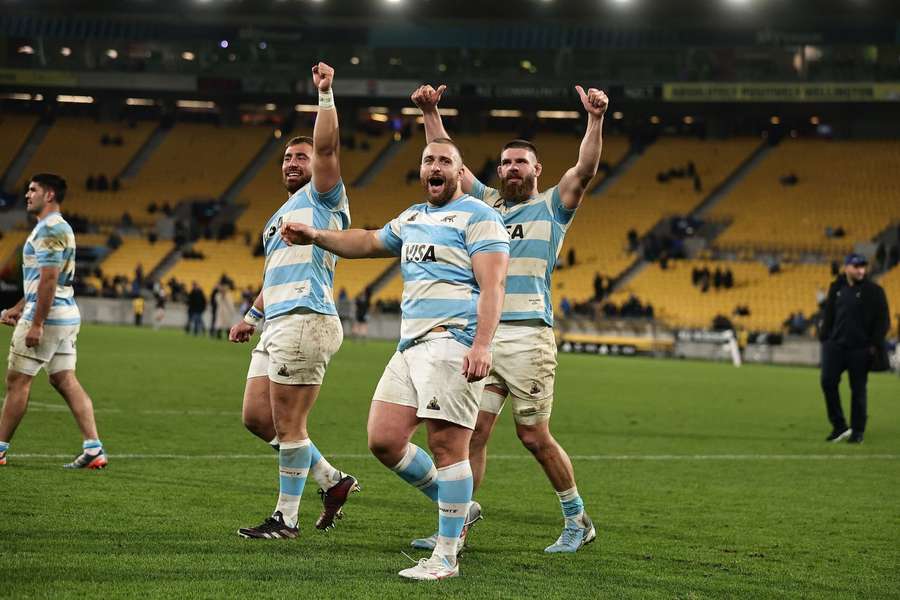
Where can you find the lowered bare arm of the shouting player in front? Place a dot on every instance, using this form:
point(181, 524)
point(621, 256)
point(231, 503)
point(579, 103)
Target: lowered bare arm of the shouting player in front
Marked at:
point(490, 273)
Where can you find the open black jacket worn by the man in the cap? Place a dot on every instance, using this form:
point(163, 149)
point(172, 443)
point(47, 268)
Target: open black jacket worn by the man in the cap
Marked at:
point(875, 316)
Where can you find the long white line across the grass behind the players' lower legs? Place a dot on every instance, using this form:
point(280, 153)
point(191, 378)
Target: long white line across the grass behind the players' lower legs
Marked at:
point(611, 457)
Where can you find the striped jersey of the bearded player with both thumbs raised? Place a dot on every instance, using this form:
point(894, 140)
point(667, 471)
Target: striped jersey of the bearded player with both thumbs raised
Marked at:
point(536, 229)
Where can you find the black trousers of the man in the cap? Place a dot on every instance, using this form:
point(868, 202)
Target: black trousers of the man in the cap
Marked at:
point(835, 360)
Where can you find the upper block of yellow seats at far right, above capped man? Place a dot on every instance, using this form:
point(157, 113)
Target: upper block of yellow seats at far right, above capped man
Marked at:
point(852, 185)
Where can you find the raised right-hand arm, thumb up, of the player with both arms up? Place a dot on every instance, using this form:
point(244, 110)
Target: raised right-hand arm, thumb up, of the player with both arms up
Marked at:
point(575, 181)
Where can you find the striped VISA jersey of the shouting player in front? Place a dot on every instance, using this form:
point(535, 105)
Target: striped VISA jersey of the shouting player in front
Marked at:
point(436, 245)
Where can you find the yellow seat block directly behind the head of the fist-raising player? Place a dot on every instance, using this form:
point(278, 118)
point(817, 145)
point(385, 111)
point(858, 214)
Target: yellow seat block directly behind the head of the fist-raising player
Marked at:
point(265, 193)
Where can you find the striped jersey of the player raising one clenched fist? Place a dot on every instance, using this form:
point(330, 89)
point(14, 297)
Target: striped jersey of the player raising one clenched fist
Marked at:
point(302, 277)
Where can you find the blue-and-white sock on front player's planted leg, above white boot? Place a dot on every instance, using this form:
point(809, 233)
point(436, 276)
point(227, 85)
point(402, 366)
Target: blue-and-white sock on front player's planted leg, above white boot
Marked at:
point(454, 496)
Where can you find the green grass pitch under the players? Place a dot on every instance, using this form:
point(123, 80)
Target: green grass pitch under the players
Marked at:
point(705, 481)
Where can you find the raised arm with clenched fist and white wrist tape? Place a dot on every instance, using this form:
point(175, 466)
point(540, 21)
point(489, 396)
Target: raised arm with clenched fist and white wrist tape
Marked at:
point(326, 168)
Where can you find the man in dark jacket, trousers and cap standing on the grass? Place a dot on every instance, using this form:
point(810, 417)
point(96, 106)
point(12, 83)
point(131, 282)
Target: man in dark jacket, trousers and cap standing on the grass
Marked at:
point(855, 322)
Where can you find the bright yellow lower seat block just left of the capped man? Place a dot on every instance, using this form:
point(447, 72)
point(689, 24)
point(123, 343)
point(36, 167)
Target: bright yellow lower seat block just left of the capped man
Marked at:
point(769, 298)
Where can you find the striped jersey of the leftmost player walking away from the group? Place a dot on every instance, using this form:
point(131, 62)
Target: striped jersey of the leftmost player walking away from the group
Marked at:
point(51, 244)
